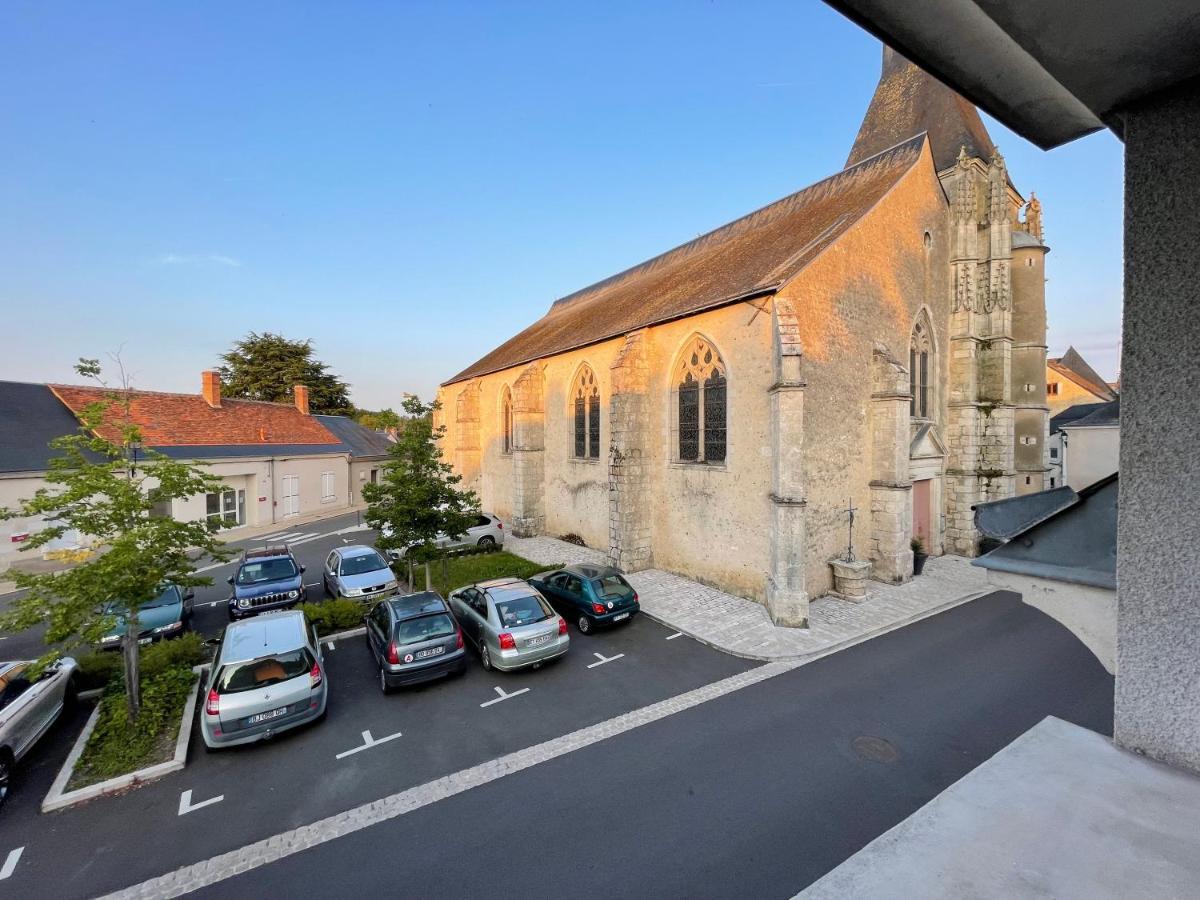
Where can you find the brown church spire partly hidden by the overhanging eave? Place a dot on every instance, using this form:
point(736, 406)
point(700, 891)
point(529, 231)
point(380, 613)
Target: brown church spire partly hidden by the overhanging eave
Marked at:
point(909, 101)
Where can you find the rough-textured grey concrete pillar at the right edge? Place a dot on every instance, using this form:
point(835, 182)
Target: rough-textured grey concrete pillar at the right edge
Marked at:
point(1159, 535)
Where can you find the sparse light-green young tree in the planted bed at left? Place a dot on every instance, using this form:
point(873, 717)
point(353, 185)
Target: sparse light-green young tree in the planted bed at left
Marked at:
point(105, 487)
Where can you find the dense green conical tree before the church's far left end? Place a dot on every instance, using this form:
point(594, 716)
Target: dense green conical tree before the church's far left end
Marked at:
point(417, 497)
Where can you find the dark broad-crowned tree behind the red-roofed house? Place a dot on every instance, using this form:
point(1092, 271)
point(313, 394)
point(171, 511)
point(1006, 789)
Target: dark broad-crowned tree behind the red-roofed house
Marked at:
point(268, 367)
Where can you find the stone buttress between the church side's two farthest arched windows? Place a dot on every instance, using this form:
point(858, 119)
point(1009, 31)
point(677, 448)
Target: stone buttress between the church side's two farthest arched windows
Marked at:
point(529, 453)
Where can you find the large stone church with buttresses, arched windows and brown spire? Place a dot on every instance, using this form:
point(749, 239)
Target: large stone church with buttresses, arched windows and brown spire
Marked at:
point(877, 339)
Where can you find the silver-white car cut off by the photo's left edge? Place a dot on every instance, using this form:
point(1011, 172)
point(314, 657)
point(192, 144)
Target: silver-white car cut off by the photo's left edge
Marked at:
point(28, 709)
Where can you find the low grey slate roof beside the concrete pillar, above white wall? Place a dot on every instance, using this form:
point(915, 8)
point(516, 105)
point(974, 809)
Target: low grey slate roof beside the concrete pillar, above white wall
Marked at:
point(1077, 545)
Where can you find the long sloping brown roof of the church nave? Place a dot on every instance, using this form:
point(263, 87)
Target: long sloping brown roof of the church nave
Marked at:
point(749, 257)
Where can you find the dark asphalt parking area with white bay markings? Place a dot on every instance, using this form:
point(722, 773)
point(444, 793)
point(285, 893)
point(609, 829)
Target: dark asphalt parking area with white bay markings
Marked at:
point(370, 746)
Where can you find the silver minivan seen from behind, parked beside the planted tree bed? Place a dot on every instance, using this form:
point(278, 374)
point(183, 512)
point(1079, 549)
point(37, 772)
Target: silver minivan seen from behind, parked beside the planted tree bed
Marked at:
point(268, 676)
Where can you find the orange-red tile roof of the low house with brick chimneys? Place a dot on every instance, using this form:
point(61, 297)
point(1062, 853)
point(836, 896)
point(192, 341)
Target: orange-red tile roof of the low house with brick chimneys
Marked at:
point(187, 419)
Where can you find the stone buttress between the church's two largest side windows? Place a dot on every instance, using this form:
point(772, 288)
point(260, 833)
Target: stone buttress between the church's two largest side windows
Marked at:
point(629, 485)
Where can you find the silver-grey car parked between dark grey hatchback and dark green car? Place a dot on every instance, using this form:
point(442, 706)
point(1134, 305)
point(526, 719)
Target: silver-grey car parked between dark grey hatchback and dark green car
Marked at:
point(509, 623)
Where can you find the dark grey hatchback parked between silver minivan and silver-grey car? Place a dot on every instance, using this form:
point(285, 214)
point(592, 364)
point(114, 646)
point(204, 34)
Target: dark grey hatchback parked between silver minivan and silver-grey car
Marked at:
point(415, 639)
